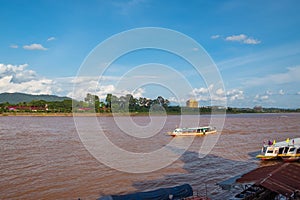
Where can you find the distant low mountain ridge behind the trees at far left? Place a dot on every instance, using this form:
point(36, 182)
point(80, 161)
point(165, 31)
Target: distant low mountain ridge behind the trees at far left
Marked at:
point(14, 98)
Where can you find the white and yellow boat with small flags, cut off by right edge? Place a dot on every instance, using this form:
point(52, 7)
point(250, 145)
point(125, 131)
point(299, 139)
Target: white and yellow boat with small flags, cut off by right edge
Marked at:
point(278, 150)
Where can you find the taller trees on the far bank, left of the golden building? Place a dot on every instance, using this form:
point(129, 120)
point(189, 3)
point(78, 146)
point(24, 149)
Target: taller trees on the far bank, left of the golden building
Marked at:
point(92, 103)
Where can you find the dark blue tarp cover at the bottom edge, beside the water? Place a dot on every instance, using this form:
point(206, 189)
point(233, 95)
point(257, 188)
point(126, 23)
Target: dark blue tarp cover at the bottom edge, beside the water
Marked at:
point(177, 192)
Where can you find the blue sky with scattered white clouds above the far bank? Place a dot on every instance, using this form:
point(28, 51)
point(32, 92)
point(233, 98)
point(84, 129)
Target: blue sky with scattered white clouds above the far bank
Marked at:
point(254, 47)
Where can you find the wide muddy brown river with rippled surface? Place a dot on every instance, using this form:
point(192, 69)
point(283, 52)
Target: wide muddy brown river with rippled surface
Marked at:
point(44, 158)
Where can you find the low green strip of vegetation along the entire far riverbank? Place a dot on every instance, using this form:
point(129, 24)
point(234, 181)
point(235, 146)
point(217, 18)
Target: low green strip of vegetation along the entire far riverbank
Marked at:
point(123, 104)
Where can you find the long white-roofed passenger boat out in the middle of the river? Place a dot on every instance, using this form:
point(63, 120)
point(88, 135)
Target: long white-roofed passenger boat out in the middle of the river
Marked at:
point(196, 131)
